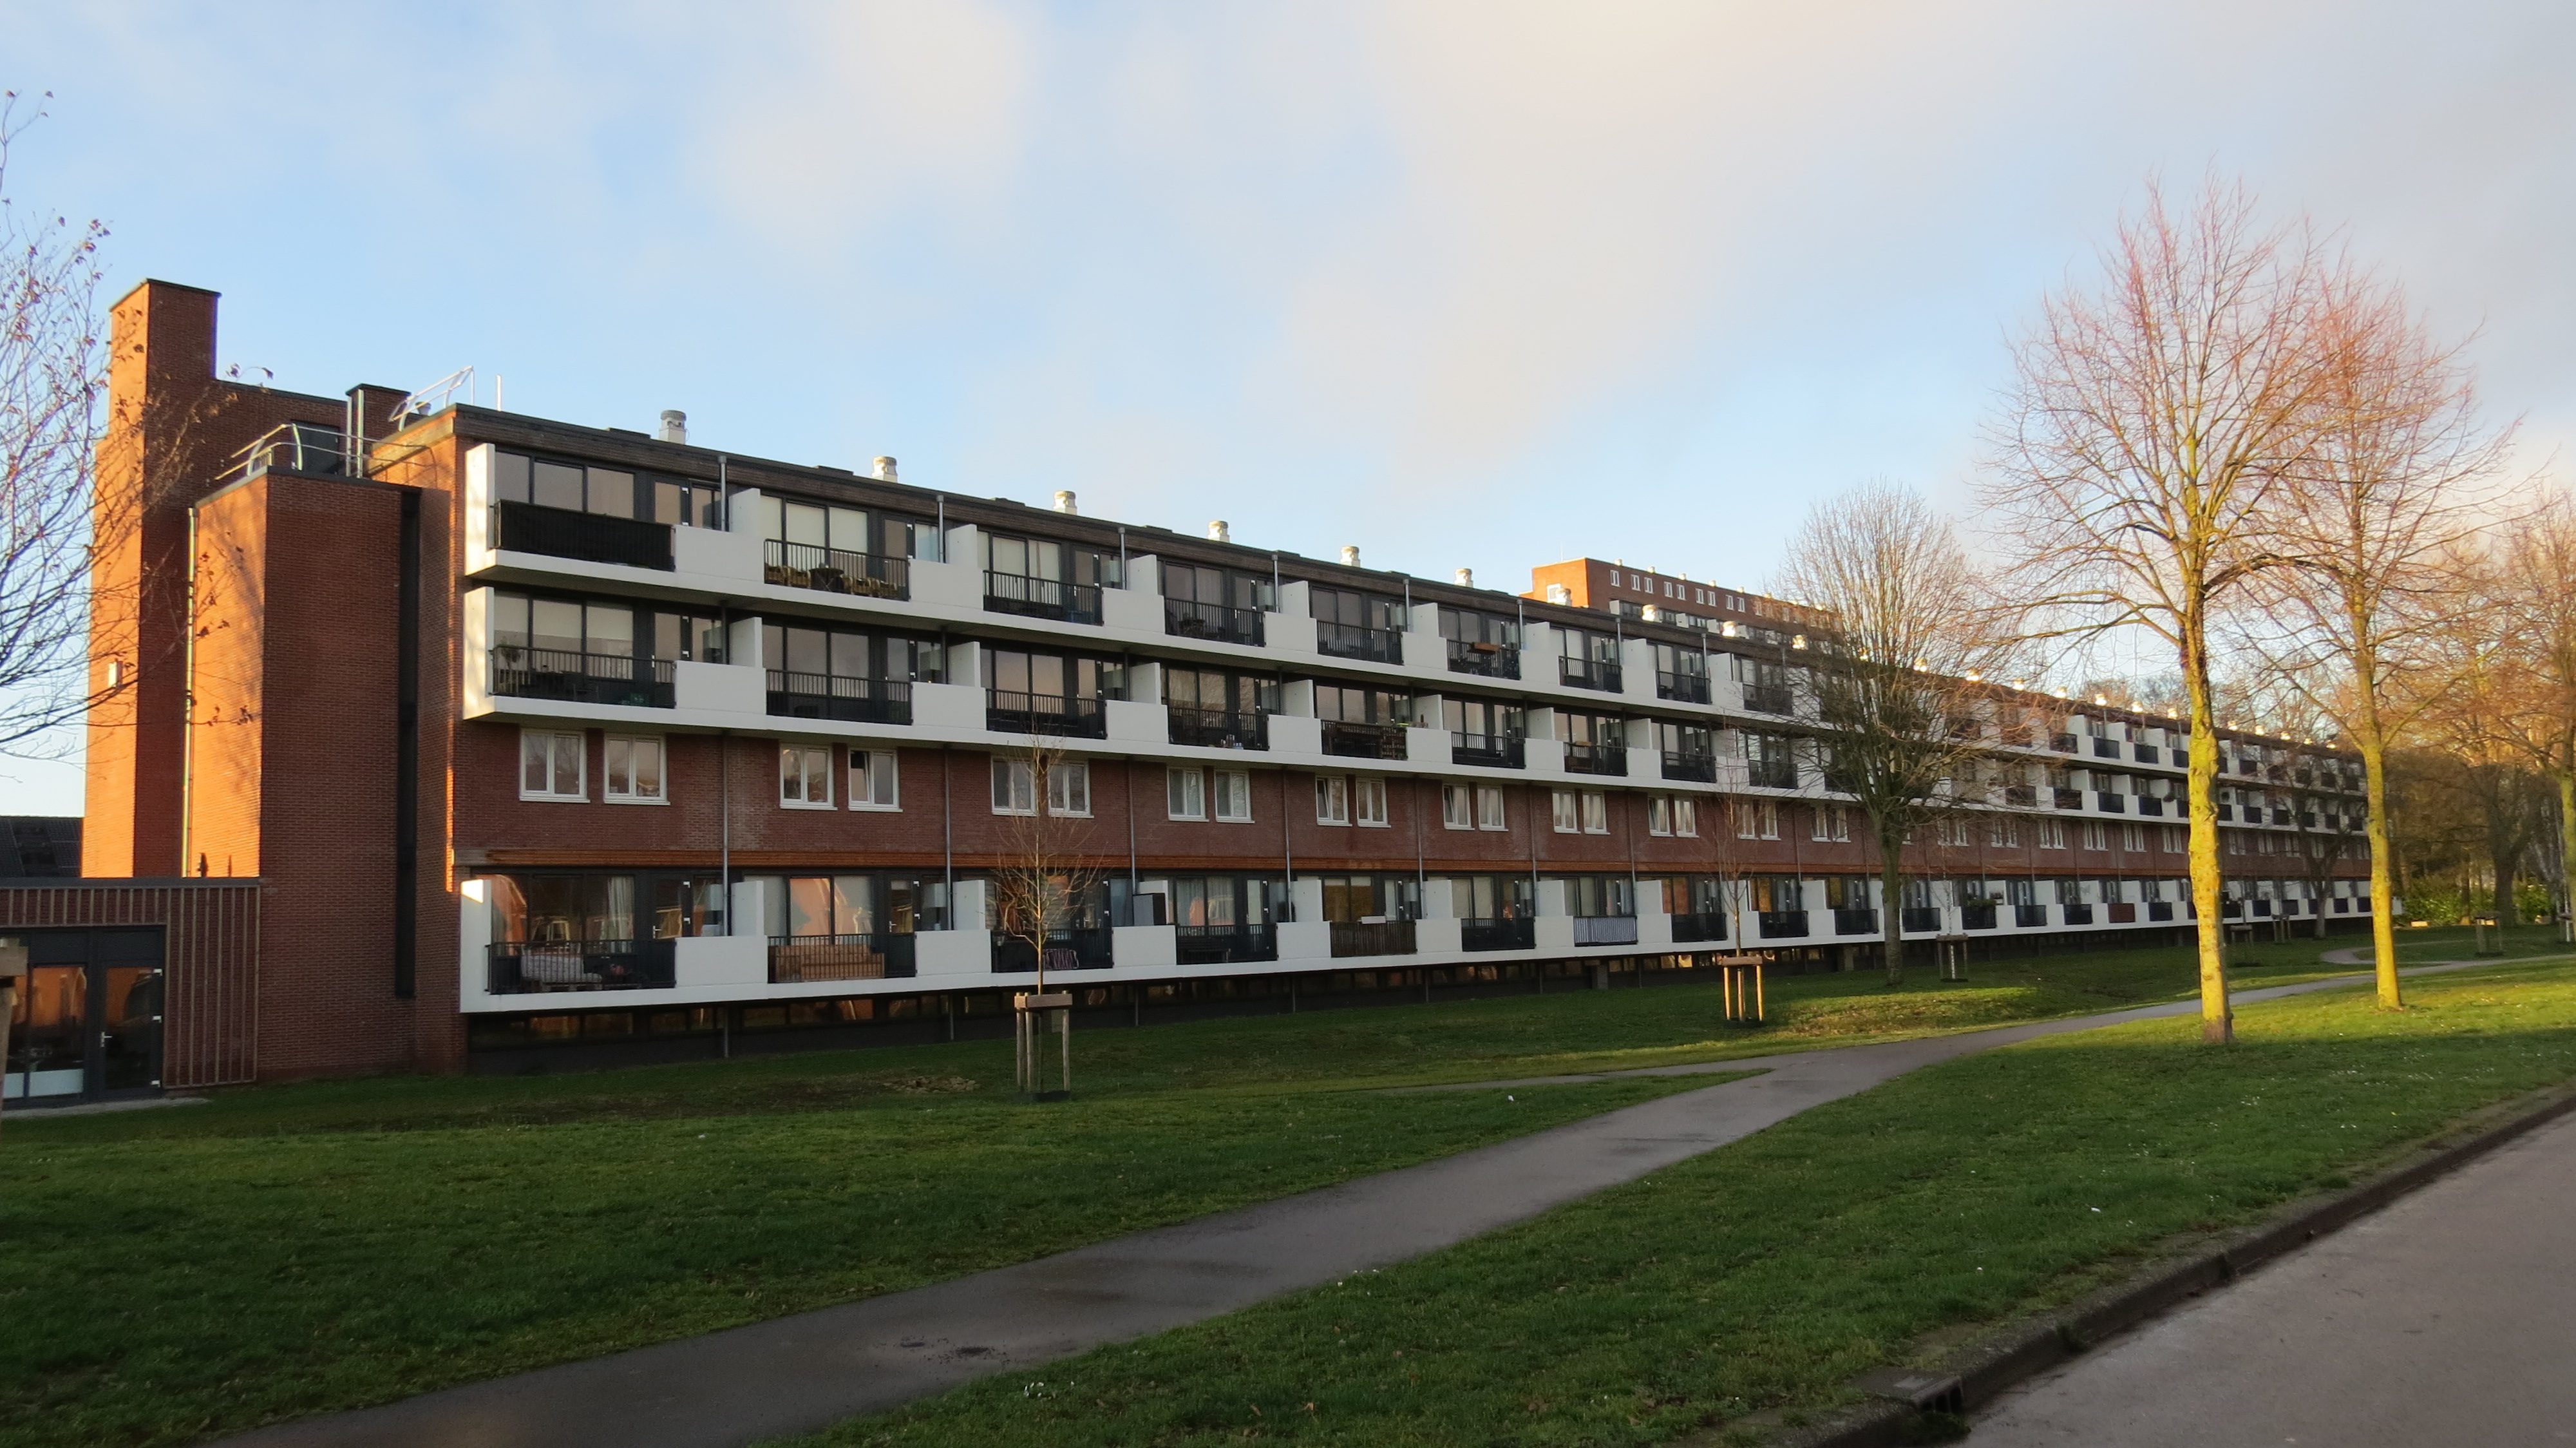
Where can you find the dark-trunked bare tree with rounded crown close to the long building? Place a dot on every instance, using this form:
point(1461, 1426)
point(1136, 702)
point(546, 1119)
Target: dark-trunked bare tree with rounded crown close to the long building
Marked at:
point(1897, 674)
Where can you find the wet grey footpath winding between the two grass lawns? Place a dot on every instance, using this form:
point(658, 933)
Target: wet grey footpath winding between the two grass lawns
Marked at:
point(808, 1372)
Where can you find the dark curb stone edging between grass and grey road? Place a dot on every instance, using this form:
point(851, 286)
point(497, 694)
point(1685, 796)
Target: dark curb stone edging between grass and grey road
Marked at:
point(1926, 1405)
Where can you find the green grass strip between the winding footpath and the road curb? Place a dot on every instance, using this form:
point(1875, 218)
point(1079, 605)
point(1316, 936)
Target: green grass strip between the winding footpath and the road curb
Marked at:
point(1766, 1274)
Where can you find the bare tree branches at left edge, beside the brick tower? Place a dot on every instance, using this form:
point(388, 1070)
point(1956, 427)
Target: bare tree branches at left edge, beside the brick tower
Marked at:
point(53, 388)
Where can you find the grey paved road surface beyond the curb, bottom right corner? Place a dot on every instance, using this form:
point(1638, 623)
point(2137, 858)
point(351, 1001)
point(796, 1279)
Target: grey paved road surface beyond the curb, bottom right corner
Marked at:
point(2443, 1318)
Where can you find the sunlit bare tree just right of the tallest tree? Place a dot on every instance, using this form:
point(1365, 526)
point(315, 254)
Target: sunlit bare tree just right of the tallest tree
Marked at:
point(2369, 522)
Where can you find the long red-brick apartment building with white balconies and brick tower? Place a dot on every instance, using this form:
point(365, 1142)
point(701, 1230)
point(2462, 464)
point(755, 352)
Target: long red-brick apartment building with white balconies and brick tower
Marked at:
point(542, 736)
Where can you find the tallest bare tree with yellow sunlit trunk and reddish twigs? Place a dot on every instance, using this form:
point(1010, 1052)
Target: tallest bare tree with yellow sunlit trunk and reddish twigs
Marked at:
point(2139, 457)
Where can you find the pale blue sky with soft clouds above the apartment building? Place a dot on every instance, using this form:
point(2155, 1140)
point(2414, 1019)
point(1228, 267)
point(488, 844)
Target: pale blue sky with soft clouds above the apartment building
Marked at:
point(1464, 285)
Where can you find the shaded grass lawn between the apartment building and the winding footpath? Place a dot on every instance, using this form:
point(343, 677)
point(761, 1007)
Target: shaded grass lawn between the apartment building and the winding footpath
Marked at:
point(292, 1251)
